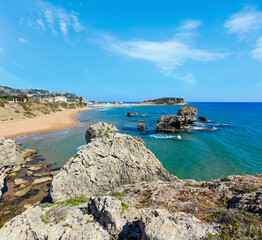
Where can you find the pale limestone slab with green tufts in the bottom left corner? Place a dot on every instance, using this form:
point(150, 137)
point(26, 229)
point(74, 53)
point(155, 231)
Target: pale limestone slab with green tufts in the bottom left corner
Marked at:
point(58, 222)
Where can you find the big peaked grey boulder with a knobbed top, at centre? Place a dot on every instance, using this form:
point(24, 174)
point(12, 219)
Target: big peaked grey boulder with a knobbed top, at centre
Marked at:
point(109, 160)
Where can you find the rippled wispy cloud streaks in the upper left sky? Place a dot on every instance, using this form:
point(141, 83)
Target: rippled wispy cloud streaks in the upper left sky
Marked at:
point(48, 17)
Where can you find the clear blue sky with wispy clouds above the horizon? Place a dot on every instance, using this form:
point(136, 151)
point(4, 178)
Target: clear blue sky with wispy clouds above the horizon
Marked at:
point(134, 50)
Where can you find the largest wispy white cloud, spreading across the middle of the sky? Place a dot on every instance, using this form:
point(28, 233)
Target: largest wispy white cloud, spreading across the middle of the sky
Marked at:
point(166, 55)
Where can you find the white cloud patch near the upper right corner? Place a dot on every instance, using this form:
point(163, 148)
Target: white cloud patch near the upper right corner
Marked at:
point(244, 22)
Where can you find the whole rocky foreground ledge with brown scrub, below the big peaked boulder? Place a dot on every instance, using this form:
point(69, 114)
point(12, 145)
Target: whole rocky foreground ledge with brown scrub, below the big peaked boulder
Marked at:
point(180, 209)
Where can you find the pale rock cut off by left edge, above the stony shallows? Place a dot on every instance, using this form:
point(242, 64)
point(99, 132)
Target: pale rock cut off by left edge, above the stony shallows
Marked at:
point(10, 159)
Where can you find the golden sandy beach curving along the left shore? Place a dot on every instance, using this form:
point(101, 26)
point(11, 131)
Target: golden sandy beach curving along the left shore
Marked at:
point(40, 124)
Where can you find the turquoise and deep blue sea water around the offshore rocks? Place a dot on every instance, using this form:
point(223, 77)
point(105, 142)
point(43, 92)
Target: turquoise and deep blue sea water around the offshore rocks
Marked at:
point(233, 144)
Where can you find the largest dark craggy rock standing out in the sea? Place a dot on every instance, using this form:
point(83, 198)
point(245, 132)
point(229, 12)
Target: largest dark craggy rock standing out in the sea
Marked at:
point(173, 123)
